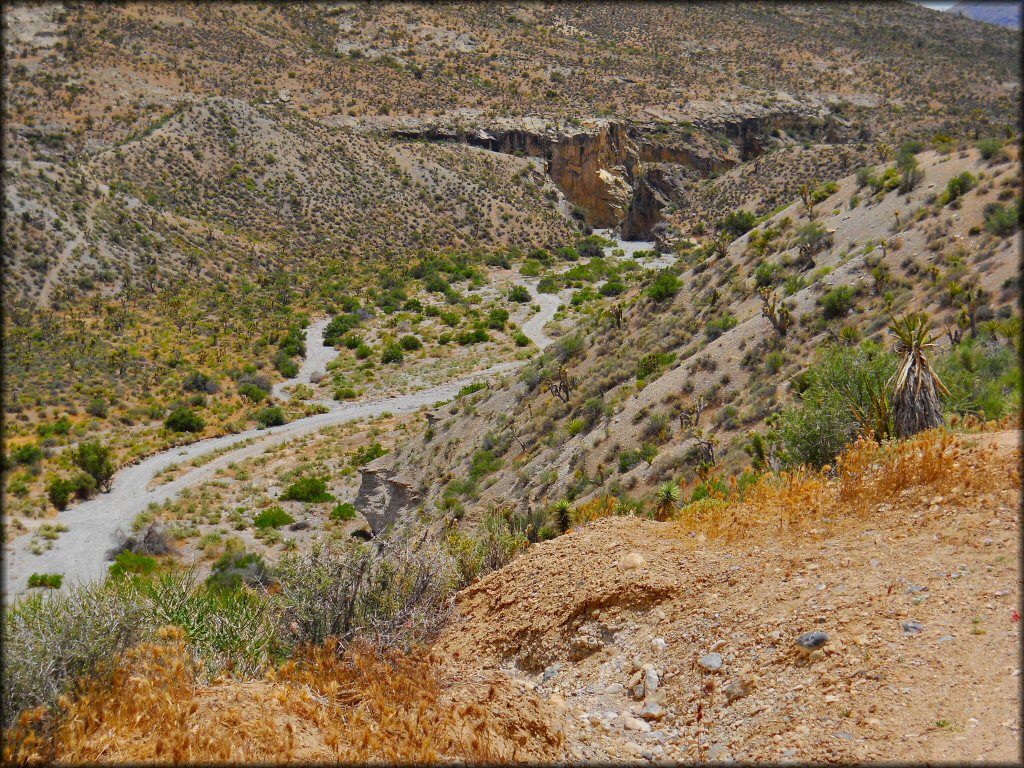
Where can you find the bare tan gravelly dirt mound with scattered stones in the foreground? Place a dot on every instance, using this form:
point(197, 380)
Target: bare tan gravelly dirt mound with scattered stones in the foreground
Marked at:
point(692, 655)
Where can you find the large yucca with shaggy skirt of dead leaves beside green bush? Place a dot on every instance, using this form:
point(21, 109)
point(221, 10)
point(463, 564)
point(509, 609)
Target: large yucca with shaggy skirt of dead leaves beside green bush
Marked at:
point(916, 387)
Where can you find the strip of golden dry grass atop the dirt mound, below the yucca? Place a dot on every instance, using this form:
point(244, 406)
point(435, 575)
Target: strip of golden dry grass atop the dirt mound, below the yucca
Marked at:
point(866, 478)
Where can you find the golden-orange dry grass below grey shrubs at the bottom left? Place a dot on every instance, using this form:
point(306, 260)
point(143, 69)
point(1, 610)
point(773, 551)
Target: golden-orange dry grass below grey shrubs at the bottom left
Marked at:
point(361, 706)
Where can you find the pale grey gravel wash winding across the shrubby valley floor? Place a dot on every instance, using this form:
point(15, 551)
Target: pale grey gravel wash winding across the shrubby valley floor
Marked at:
point(96, 526)
